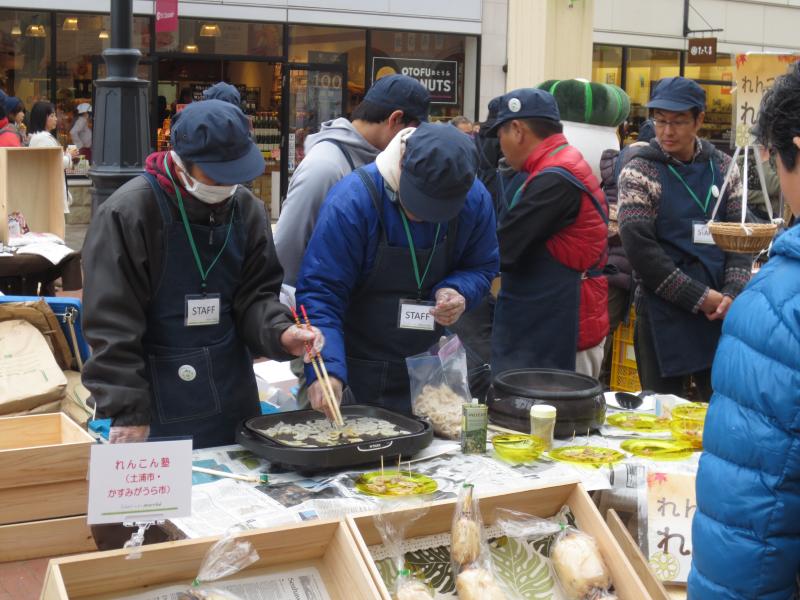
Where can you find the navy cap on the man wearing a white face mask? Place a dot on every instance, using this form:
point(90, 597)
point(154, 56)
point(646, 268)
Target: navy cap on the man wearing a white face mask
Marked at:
point(215, 135)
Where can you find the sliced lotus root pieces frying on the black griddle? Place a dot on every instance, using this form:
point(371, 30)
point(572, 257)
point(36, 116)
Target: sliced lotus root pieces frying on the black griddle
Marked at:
point(319, 433)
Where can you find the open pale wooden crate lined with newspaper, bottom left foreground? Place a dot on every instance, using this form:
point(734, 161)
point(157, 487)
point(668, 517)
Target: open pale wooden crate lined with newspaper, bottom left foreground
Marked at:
point(327, 545)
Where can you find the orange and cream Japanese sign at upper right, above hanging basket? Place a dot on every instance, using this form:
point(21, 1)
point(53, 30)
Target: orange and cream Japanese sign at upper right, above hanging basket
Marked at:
point(754, 75)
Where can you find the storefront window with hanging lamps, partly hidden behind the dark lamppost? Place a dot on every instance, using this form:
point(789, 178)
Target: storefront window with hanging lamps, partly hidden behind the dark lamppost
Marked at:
point(80, 40)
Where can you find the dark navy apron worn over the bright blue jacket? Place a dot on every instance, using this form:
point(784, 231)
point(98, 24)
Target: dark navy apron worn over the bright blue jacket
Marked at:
point(376, 347)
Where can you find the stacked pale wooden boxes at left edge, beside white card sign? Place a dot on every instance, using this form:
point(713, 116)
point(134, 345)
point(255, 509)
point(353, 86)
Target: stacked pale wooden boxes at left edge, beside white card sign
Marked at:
point(43, 487)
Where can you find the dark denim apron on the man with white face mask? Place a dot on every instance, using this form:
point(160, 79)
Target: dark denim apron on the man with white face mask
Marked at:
point(201, 377)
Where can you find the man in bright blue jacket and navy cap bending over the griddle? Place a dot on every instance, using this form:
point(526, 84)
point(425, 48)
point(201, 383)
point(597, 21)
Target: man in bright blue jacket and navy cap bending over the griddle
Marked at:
point(402, 247)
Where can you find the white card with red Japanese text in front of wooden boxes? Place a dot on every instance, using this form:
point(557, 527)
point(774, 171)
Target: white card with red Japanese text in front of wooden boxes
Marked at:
point(141, 482)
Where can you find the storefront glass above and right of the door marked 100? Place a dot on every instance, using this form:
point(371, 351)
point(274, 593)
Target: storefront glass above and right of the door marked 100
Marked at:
point(335, 46)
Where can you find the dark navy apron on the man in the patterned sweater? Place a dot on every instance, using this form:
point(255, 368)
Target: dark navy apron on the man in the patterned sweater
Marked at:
point(685, 342)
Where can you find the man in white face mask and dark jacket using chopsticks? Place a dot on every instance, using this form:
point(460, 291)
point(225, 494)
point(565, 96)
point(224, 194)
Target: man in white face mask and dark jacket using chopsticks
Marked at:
point(181, 288)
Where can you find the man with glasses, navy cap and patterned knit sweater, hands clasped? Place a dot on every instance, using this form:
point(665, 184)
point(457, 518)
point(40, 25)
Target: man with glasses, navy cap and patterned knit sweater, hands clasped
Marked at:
point(667, 192)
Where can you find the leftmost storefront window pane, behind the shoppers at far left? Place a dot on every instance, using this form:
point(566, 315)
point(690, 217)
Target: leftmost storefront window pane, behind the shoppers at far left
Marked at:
point(25, 55)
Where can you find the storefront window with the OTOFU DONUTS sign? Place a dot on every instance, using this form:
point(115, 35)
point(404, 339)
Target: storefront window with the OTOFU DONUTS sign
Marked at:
point(436, 59)
